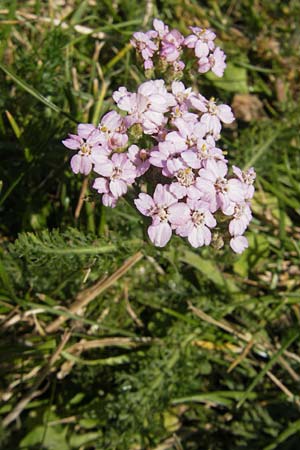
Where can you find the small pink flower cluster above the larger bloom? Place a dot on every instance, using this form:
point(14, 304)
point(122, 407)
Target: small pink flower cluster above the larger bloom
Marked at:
point(166, 47)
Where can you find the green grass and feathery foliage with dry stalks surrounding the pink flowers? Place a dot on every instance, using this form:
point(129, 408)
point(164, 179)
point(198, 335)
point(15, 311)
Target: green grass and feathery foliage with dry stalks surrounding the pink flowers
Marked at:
point(107, 342)
